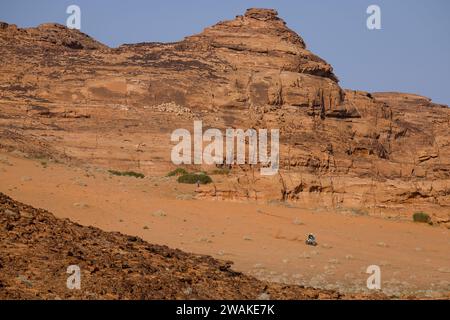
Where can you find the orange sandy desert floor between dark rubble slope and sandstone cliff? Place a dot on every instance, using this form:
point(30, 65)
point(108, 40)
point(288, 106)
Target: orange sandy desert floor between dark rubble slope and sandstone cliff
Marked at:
point(264, 239)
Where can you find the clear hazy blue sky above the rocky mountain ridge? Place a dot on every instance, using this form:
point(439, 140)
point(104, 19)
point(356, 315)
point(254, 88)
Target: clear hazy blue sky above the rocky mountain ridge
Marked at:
point(410, 54)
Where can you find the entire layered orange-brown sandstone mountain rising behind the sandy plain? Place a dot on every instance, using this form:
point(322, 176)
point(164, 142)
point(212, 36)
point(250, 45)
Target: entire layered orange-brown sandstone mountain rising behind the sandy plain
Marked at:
point(67, 96)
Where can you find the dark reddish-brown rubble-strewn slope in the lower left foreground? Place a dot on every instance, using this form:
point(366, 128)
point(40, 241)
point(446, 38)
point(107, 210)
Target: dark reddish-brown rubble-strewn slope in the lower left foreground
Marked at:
point(36, 248)
